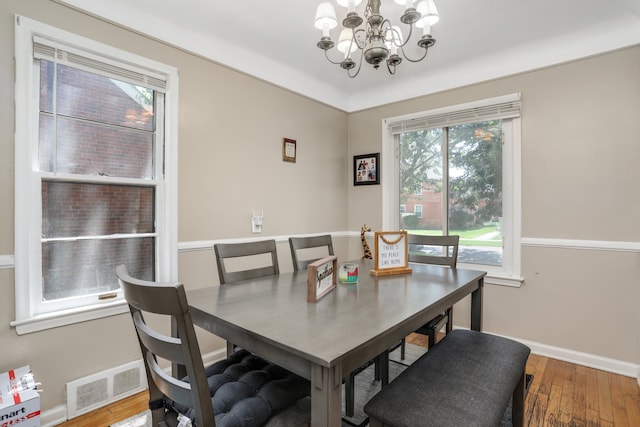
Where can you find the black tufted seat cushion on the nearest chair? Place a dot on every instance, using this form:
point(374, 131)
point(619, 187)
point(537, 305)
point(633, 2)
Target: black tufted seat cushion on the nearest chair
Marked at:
point(245, 387)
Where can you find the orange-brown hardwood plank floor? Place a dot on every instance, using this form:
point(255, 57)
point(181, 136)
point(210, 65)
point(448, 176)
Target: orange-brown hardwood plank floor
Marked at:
point(561, 395)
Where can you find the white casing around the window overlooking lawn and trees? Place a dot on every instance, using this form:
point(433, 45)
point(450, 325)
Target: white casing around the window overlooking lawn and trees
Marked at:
point(503, 110)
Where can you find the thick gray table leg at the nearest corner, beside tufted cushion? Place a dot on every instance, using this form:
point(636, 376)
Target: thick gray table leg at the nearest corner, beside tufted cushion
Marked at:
point(326, 395)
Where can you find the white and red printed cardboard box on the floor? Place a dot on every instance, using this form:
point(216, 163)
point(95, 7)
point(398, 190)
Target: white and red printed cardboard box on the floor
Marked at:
point(19, 399)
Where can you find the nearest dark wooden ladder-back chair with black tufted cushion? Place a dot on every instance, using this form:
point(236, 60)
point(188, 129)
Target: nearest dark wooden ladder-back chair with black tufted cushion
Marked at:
point(241, 390)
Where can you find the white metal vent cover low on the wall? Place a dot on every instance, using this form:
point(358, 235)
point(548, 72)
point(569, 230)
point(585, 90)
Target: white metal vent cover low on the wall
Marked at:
point(97, 390)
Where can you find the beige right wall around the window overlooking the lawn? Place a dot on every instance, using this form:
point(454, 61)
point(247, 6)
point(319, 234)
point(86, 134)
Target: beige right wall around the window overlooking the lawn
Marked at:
point(580, 166)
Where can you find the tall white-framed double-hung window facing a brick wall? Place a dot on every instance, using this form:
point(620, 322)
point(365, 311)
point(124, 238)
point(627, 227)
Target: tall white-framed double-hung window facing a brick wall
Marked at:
point(95, 175)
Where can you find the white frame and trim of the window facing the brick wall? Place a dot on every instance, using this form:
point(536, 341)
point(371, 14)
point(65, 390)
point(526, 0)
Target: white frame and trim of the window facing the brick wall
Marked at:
point(30, 311)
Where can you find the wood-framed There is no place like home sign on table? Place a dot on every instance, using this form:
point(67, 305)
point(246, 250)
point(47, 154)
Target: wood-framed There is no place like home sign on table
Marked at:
point(391, 253)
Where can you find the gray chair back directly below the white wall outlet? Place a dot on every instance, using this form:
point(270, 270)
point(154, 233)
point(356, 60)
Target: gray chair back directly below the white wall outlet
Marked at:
point(263, 253)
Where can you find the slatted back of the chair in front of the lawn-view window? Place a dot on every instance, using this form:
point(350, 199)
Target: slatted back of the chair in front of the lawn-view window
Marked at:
point(444, 249)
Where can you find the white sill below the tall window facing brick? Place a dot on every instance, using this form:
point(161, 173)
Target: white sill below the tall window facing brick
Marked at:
point(62, 318)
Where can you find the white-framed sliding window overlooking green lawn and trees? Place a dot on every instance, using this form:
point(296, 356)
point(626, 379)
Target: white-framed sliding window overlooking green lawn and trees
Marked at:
point(468, 157)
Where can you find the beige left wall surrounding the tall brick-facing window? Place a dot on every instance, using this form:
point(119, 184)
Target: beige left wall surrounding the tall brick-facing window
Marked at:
point(230, 162)
